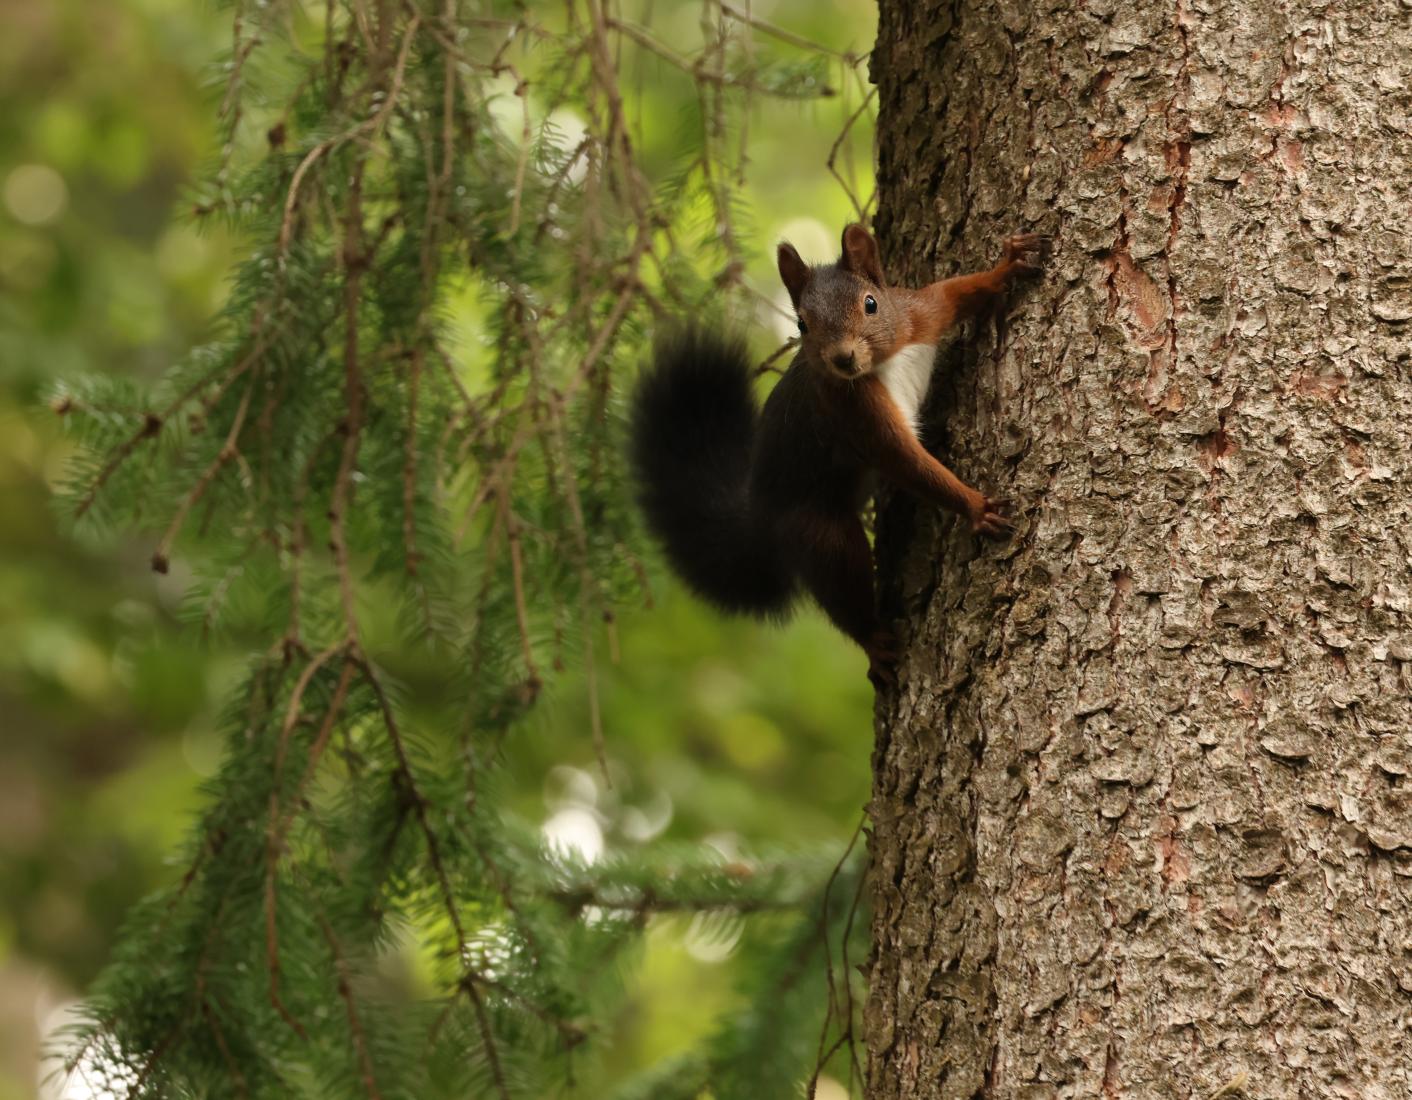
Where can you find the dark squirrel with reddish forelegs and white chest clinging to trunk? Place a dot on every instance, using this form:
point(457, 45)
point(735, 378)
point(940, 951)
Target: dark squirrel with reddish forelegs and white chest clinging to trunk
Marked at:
point(753, 503)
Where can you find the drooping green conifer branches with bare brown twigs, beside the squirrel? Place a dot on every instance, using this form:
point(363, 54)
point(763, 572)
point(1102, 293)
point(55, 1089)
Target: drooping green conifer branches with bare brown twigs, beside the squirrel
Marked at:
point(359, 479)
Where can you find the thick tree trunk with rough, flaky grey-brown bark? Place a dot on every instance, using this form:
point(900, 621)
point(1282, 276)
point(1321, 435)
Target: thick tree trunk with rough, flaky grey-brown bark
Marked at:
point(1143, 813)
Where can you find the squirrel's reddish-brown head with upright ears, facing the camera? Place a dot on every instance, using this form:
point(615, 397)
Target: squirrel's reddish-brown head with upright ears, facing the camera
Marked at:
point(848, 320)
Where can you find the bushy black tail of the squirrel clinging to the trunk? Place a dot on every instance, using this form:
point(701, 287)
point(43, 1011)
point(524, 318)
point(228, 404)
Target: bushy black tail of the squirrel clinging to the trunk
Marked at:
point(694, 422)
